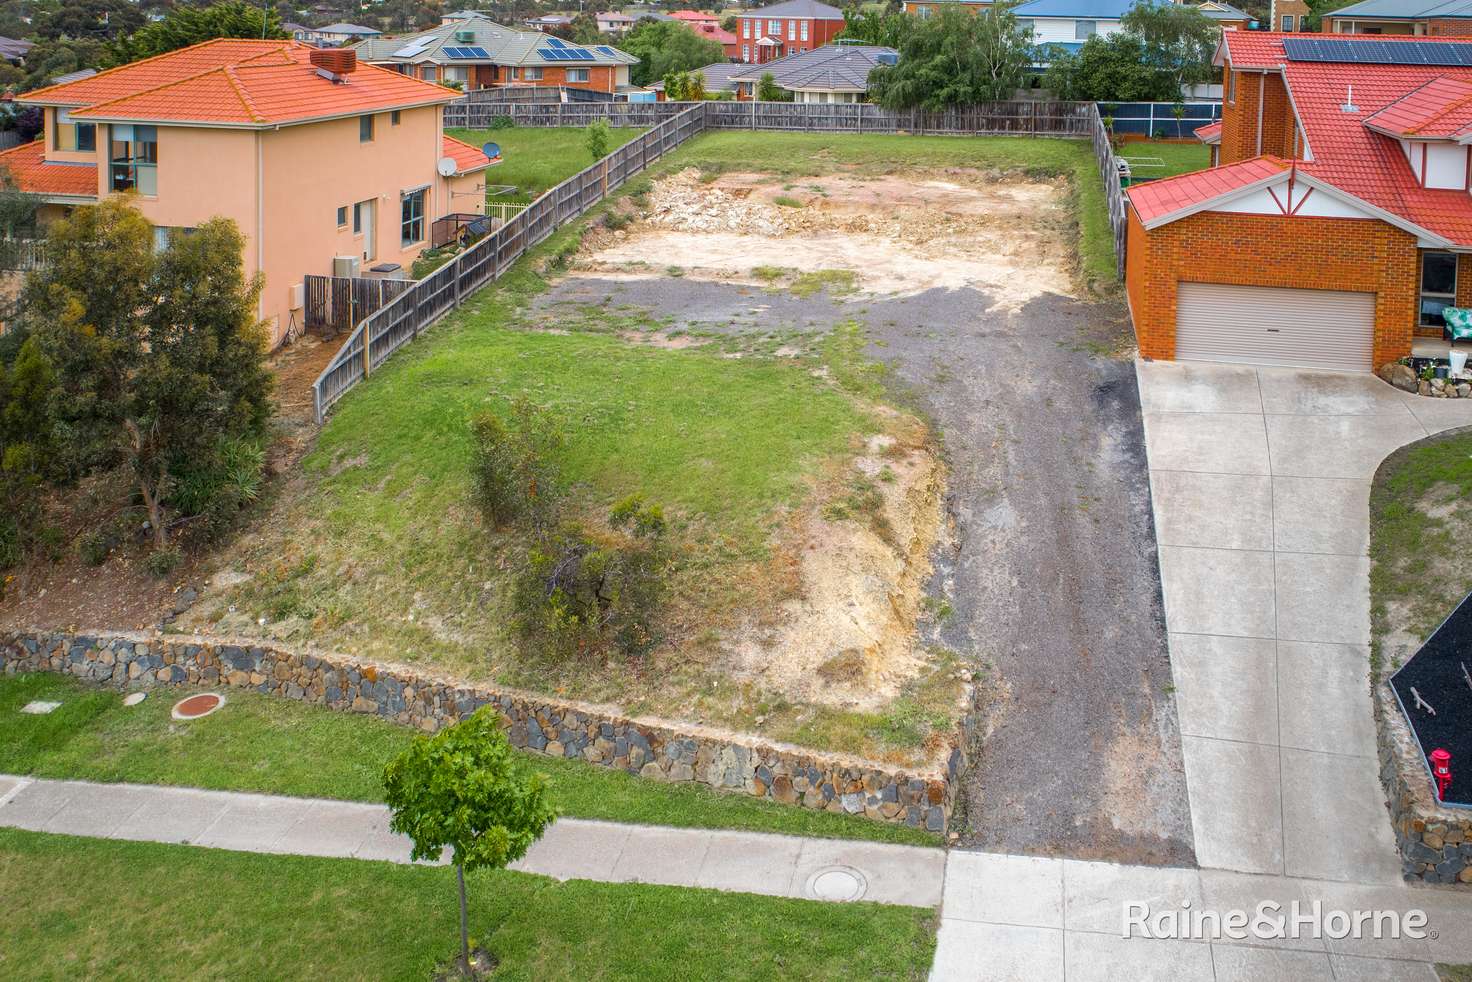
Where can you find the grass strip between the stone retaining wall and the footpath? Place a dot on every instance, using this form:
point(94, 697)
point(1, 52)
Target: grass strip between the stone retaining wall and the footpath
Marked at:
point(275, 746)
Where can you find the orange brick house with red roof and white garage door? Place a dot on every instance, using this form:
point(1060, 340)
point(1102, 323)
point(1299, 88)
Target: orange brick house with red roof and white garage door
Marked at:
point(1339, 220)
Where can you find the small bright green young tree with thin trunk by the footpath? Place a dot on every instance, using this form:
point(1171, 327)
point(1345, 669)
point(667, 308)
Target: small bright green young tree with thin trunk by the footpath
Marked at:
point(464, 790)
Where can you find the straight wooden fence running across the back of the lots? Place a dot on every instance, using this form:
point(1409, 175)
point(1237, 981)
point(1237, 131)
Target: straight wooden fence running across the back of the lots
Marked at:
point(1031, 119)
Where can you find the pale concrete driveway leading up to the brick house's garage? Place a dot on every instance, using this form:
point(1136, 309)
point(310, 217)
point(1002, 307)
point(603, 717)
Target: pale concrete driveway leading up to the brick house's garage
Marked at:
point(1261, 481)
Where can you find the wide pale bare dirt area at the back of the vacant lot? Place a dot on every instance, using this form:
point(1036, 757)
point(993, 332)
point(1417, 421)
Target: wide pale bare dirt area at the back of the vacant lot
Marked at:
point(899, 235)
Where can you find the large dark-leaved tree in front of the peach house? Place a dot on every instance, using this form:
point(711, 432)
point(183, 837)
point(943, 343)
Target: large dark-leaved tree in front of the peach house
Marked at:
point(160, 354)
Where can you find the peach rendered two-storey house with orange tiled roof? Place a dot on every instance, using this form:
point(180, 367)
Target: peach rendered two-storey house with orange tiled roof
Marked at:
point(311, 154)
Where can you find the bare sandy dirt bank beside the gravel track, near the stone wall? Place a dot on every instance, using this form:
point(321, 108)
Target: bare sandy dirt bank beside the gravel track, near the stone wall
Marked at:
point(863, 560)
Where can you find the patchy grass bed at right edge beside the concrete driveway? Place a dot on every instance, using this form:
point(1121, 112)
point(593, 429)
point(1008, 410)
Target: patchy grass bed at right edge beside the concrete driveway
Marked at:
point(1421, 512)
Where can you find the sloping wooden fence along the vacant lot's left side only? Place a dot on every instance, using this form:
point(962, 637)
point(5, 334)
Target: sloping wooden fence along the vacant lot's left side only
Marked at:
point(429, 300)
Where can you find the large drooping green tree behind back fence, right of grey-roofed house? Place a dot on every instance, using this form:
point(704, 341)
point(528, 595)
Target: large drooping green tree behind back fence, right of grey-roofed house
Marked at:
point(956, 60)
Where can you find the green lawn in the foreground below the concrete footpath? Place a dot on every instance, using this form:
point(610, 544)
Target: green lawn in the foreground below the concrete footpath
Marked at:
point(141, 911)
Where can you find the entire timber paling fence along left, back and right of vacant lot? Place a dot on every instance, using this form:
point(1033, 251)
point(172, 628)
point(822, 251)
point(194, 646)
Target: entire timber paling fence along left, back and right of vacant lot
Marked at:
point(401, 319)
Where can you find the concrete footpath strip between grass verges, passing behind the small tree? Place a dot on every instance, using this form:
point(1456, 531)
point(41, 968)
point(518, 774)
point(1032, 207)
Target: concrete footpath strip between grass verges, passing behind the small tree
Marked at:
point(573, 849)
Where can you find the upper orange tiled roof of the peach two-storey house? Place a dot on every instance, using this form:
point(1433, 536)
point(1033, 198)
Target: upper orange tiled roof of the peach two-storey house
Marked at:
point(236, 82)
